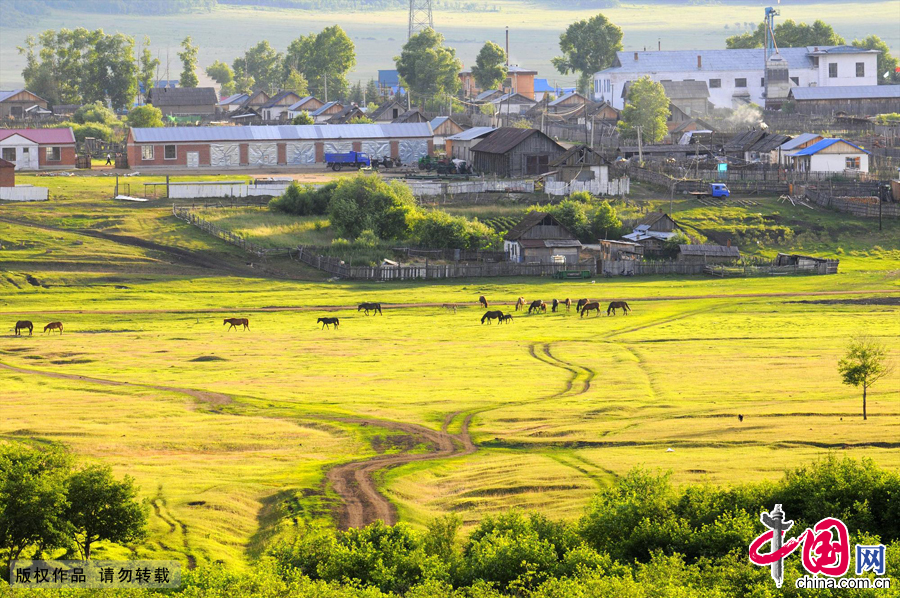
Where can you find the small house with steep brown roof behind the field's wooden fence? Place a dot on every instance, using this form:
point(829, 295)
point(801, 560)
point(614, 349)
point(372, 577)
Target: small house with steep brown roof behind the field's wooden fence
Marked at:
point(539, 239)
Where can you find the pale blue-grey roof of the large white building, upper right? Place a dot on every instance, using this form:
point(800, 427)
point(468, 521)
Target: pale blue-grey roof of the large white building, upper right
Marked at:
point(712, 60)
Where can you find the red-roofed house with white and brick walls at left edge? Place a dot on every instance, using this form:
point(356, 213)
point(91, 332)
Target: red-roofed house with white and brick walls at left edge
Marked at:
point(38, 149)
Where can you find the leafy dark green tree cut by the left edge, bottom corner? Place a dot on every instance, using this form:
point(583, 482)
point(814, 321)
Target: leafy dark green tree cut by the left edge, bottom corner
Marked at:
point(32, 499)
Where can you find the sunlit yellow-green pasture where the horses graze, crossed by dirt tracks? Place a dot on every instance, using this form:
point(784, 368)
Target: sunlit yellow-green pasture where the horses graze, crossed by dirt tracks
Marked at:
point(229, 434)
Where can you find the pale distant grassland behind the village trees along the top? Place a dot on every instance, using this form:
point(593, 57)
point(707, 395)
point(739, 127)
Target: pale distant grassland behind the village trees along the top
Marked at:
point(379, 35)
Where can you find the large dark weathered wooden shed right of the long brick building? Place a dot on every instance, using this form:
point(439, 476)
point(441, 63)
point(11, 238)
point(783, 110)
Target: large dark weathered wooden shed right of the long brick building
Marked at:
point(514, 152)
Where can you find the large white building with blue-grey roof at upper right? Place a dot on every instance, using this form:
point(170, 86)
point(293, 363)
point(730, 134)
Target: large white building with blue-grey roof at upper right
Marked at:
point(737, 77)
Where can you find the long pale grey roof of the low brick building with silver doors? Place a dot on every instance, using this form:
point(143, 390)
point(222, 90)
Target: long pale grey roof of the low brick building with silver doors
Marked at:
point(281, 133)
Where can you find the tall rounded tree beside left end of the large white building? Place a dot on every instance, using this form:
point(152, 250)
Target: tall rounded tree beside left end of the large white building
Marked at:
point(587, 47)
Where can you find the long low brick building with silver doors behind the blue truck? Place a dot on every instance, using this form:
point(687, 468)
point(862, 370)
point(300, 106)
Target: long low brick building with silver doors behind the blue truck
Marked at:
point(227, 148)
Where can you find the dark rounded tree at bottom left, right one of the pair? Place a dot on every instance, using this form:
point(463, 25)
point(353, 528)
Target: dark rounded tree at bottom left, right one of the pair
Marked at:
point(102, 508)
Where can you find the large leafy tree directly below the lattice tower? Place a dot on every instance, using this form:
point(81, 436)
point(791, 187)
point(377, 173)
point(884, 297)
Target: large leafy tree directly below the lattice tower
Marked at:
point(428, 68)
